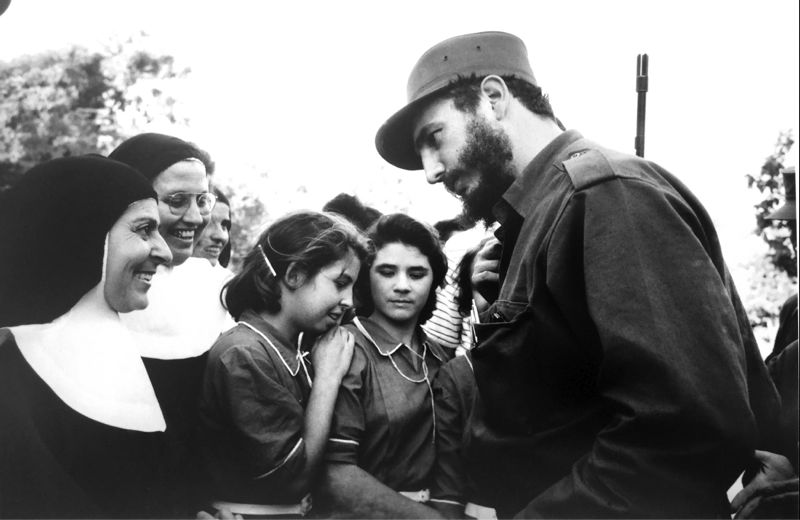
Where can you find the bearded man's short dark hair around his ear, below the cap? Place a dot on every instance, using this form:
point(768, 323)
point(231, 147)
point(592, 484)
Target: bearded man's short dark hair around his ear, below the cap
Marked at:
point(466, 94)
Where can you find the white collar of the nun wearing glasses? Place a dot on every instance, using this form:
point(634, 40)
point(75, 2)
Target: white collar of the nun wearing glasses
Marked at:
point(184, 316)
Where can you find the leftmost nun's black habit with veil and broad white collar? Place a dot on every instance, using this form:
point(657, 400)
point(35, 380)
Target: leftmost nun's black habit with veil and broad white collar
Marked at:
point(80, 420)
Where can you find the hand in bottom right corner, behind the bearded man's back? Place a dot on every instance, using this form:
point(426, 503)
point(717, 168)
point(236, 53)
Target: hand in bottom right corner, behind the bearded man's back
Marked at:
point(771, 493)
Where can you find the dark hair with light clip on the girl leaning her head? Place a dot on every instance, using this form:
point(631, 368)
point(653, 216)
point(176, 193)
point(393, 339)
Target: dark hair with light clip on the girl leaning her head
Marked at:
point(309, 239)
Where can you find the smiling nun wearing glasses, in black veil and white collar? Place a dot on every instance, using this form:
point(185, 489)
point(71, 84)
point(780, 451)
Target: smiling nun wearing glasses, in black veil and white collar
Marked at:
point(185, 315)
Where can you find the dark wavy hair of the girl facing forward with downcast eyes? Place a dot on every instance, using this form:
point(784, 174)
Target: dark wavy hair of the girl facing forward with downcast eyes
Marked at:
point(398, 227)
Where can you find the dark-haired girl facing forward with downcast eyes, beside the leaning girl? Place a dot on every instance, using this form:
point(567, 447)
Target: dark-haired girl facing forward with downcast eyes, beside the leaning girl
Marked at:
point(381, 449)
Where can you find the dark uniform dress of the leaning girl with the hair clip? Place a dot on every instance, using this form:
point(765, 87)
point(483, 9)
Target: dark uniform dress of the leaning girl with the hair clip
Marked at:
point(255, 391)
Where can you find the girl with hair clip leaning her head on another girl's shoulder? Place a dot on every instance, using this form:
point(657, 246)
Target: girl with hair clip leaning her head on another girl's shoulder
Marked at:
point(263, 425)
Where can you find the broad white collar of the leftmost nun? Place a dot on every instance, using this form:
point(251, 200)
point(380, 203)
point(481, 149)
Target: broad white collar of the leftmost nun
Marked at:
point(88, 358)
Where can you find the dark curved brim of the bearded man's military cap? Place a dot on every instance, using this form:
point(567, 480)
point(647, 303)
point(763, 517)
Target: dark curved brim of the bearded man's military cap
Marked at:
point(395, 140)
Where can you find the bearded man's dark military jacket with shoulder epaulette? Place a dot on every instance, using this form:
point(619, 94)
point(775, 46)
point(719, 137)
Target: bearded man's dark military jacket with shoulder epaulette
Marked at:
point(617, 367)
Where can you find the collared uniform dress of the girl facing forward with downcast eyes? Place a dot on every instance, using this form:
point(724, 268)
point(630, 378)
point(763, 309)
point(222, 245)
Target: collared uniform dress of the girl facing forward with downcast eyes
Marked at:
point(383, 420)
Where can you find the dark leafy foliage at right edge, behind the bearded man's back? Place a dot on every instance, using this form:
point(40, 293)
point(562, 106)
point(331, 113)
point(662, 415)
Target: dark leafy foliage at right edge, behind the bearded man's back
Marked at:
point(776, 233)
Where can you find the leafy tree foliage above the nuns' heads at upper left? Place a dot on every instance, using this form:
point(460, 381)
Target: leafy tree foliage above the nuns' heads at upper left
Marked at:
point(72, 102)
